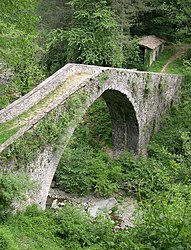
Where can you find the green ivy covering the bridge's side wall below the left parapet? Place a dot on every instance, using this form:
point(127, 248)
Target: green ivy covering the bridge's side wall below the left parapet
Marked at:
point(46, 132)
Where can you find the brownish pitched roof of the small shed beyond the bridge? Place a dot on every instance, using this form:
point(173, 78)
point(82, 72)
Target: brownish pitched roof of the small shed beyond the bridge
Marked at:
point(151, 42)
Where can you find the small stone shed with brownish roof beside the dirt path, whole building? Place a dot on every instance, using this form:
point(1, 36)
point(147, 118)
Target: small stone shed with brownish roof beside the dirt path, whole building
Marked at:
point(151, 46)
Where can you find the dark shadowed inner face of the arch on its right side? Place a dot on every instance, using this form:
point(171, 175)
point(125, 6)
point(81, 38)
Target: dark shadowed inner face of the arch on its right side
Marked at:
point(125, 128)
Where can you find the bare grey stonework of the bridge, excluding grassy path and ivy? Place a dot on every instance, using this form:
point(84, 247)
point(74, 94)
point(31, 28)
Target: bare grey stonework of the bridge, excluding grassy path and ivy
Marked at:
point(136, 100)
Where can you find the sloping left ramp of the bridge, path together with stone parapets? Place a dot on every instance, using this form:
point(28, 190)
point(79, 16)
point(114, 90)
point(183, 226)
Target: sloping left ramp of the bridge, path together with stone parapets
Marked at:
point(49, 94)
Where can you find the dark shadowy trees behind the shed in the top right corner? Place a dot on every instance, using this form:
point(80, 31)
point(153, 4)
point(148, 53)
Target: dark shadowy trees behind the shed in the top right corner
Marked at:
point(168, 19)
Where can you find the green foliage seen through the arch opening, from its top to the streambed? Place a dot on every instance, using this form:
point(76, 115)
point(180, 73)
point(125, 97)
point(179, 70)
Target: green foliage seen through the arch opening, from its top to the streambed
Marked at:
point(84, 167)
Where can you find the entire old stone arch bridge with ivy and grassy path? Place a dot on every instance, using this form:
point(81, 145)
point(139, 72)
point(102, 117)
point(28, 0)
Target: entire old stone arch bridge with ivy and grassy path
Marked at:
point(35, 129)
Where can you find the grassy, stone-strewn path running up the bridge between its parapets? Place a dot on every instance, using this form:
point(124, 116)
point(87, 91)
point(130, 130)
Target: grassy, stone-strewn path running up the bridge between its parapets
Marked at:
point(27, 119)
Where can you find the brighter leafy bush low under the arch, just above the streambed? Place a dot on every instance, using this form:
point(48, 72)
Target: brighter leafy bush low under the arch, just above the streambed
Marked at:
point(84, 169)
